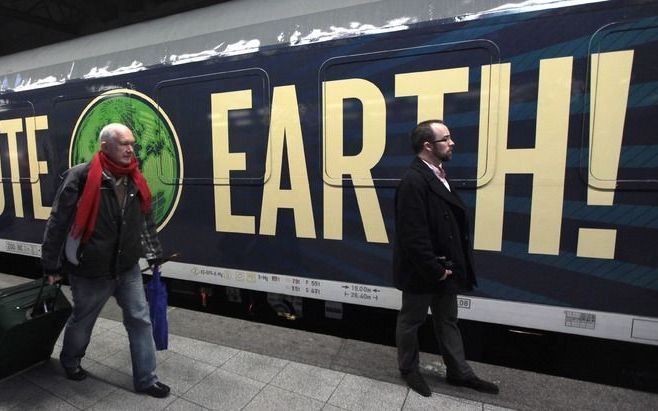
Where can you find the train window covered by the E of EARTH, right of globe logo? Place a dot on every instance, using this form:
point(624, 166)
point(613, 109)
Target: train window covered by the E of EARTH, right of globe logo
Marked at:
point(232, 141)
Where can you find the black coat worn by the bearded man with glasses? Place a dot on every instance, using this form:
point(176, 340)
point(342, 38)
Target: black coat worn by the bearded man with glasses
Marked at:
point(430, 222)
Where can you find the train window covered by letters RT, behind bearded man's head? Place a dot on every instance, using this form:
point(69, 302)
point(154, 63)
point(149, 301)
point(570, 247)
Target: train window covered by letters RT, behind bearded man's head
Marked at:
point(371, 101)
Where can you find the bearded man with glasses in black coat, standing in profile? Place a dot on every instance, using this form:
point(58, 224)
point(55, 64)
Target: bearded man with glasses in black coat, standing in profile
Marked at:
point(432, 259)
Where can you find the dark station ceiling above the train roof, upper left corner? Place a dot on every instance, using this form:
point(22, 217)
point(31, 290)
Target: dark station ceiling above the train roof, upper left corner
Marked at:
point(28, 24)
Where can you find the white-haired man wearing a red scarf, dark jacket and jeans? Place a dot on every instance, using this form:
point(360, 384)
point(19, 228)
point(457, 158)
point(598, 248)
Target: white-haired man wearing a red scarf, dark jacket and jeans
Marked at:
point(99, 226)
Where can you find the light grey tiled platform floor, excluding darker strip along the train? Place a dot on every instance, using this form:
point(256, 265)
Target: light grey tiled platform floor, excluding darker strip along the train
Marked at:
point(208, 376)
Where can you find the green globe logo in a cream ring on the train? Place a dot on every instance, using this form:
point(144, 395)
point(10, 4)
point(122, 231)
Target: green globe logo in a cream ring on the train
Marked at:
point(156, 144)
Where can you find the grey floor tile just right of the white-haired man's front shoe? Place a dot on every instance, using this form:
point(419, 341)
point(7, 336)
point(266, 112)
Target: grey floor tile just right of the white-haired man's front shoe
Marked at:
point(181, 373)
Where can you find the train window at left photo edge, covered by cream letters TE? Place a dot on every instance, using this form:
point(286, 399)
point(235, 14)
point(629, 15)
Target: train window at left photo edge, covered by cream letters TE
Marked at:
point(18, 129)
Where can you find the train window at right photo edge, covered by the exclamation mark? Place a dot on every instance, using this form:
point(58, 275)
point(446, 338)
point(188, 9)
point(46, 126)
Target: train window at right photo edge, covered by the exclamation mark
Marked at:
point(620, 148)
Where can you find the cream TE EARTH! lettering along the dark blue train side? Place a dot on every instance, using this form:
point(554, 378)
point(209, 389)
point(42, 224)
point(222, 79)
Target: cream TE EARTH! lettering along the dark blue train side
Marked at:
point(546, 162)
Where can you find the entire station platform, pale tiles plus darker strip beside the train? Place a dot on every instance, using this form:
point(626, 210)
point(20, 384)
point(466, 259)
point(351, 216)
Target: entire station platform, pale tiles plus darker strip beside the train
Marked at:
point(214, 362)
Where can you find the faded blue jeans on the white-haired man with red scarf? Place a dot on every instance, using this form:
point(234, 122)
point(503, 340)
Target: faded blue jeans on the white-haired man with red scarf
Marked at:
point(89, 297)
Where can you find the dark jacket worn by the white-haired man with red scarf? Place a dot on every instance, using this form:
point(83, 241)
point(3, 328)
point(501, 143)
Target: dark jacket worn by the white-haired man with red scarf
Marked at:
point(120, 237)
